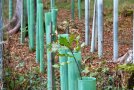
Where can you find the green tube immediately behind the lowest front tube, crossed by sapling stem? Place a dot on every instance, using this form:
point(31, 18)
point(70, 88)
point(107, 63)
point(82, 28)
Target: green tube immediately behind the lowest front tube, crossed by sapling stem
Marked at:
point(73, 72)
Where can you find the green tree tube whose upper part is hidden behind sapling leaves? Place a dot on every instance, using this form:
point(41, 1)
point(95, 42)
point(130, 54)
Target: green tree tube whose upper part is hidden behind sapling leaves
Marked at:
point(63, 66)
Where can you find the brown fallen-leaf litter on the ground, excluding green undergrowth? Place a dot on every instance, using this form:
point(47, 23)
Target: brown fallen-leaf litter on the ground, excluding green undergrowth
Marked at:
point(15, 52)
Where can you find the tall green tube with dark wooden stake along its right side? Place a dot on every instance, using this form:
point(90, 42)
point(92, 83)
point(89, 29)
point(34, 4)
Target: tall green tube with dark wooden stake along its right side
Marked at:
point(50, 75)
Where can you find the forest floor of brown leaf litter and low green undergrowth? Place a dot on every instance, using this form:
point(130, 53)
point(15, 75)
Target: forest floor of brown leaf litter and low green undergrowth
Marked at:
point(22, 71)
